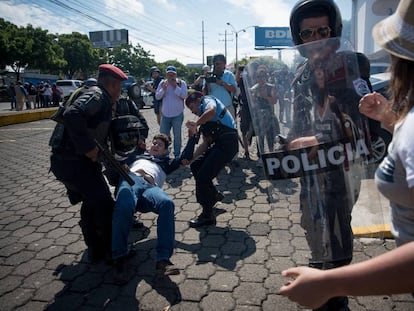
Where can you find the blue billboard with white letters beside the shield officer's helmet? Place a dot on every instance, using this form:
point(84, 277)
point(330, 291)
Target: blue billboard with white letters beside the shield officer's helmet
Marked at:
point(272, 37)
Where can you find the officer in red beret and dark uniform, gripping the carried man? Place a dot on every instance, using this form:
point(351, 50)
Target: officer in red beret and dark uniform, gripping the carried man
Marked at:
point(74, 158)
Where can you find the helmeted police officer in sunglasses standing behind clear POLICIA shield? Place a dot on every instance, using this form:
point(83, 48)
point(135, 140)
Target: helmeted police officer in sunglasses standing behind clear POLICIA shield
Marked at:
point(322, 102)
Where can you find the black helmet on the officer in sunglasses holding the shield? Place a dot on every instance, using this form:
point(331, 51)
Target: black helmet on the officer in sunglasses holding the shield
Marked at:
point(315, 8)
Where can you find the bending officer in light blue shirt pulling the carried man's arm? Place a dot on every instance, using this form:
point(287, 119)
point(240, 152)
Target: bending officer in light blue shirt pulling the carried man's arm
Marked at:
point(219, 146)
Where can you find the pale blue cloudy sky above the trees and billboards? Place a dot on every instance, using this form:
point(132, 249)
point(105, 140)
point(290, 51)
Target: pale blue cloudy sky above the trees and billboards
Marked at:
point(168, 29)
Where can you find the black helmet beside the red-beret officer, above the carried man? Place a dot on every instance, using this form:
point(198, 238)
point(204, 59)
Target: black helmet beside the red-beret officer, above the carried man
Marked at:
point(124, 135)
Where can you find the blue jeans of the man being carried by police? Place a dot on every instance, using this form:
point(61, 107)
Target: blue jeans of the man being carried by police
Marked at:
point(142, 197)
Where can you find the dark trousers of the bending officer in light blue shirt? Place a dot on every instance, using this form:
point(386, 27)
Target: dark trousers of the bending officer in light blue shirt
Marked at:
point(208, 166)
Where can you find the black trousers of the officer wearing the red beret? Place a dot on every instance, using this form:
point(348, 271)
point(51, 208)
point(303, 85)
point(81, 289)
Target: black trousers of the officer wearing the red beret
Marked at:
point(84, 180)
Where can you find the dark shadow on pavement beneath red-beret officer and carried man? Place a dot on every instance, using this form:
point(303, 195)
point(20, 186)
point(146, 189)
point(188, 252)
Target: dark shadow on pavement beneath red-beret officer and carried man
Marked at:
point(87, 285)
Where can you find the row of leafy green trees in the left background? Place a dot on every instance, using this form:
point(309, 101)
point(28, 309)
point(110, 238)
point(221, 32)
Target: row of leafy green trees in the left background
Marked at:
point(72, 55)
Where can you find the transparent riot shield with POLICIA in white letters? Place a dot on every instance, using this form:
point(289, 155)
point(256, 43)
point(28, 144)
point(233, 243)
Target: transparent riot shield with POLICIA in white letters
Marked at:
point(304, 109)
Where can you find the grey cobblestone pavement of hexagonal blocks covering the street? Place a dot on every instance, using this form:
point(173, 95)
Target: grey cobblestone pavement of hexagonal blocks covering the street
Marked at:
point(233, 266)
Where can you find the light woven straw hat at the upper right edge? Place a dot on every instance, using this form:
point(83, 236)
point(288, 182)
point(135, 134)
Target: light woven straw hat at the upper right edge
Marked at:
point(396, 32)
